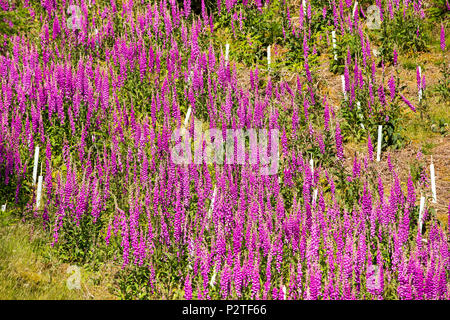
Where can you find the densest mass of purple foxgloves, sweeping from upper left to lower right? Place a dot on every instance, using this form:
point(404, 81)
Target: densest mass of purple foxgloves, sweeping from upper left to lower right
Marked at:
point(103, 106)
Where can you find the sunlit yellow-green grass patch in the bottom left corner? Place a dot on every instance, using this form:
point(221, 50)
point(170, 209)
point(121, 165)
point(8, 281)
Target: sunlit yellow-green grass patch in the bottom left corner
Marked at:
point(30, 271)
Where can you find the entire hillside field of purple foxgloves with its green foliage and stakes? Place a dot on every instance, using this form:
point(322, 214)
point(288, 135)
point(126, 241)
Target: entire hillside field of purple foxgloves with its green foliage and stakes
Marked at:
point(92, 92)
